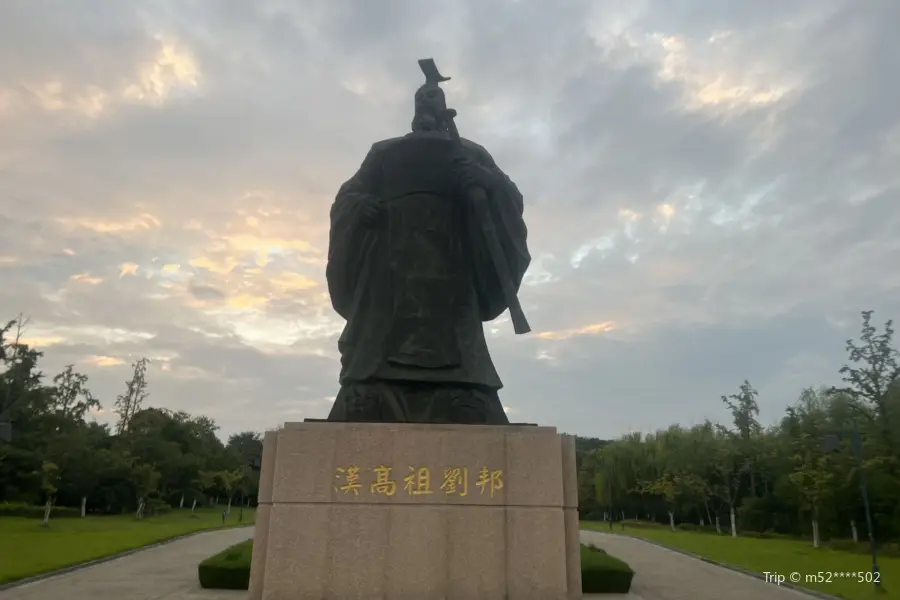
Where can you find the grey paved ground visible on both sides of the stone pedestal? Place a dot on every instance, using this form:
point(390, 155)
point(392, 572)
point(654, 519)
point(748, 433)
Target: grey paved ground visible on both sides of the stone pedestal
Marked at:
point(169, 572)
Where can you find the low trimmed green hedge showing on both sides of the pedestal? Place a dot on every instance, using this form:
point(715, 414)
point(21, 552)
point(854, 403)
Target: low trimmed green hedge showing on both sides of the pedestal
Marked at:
point(600, 572)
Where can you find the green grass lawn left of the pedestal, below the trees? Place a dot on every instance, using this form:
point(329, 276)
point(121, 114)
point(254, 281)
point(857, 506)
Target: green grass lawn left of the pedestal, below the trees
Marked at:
point(29, 549)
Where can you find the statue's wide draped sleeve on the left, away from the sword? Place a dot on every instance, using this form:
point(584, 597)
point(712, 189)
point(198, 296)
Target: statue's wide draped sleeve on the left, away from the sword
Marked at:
point(349, 240)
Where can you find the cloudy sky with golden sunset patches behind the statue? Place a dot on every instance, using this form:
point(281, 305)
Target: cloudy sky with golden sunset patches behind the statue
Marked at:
point(711, 191)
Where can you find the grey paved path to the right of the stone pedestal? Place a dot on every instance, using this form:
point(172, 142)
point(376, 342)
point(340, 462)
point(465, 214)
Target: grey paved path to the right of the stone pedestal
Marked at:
point(661, 574)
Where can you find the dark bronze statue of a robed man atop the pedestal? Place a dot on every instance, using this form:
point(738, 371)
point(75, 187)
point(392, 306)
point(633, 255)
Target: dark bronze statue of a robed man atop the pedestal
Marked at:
point(410, 271)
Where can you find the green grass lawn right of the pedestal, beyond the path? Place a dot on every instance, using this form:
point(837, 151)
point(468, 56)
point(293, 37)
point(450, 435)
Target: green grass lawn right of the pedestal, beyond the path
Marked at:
point(776, 555)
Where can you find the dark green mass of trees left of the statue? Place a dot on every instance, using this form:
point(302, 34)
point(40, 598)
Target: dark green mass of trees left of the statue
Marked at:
point(57, 455)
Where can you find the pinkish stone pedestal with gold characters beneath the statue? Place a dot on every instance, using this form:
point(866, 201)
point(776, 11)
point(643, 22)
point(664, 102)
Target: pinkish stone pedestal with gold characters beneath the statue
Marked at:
point(416, 512)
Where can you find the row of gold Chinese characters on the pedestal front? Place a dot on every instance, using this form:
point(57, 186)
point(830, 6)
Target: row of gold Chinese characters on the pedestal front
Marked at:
point(417, 481)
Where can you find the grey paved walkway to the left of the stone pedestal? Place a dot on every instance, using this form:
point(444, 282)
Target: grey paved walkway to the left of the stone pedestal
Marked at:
point(167, 572)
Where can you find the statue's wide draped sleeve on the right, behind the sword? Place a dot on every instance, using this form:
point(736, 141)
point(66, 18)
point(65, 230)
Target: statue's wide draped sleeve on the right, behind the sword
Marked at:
point(506, 207)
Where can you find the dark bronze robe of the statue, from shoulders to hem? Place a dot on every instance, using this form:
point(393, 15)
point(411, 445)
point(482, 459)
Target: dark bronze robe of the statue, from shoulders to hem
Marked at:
point(416, 285)
